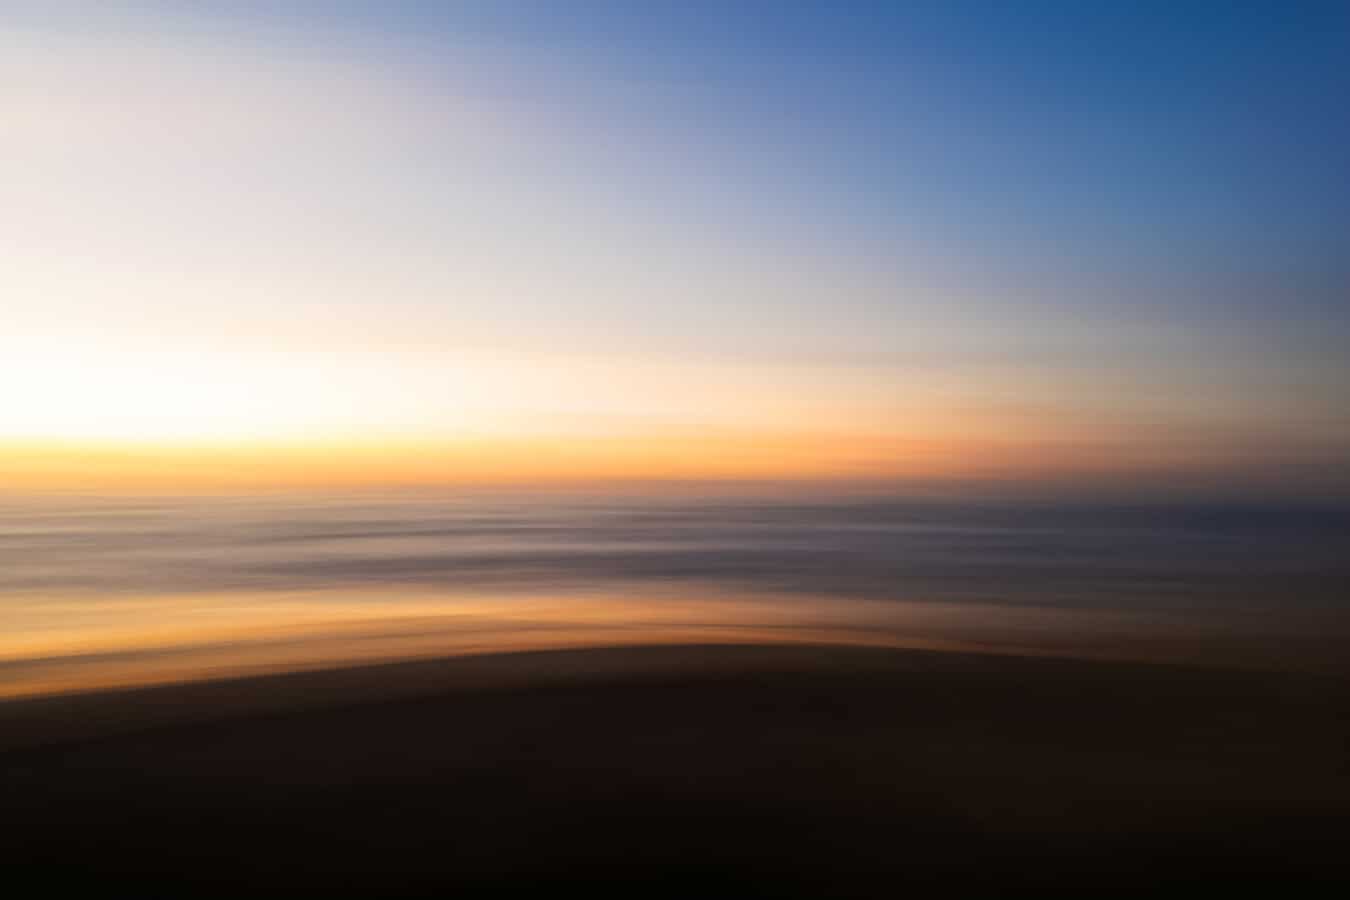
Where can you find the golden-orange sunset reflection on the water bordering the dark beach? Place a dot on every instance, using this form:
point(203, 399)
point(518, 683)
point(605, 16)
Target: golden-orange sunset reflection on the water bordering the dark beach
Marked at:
point(55, 646)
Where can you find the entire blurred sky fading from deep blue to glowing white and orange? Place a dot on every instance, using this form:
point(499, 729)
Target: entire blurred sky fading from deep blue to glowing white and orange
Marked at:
point(938, 244)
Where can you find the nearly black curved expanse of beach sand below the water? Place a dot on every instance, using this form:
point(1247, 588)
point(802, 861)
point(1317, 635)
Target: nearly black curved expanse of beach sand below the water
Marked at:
point(747, 771)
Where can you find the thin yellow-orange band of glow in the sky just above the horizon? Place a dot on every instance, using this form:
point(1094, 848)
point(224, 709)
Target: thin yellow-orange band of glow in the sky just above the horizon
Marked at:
point(662, 457)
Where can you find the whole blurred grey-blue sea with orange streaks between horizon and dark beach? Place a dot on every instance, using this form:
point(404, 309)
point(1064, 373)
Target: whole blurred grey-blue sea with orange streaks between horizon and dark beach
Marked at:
point(103, 592)
